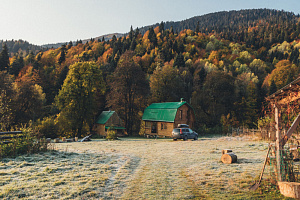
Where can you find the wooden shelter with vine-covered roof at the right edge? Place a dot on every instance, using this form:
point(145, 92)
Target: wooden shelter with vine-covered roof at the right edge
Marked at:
point(283, 101)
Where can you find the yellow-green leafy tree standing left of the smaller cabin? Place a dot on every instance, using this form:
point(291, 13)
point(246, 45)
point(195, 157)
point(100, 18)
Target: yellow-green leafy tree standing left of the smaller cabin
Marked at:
point(77, 99)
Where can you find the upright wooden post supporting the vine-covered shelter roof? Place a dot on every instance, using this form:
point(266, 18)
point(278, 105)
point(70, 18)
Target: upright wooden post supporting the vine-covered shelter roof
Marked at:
point(278, 144)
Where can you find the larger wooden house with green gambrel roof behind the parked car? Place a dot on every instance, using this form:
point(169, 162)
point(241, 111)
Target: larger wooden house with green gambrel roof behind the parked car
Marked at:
point(161, 118)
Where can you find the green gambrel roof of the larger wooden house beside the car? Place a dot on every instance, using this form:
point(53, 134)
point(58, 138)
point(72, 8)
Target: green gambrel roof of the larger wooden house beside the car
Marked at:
point(165, 112)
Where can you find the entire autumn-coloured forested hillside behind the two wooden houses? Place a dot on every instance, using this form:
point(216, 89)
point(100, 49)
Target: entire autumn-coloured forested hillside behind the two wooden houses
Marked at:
point(225, 70)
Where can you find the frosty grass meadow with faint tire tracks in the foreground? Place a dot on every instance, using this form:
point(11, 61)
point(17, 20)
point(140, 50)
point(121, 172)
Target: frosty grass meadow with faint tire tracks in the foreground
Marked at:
point(137, 168)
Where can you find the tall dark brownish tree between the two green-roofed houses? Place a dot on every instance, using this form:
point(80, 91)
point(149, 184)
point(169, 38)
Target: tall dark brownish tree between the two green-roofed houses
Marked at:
point(128, 88)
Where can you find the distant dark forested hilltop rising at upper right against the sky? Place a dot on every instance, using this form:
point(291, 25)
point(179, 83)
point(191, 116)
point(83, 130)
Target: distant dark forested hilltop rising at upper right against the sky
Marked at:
point(255, 27)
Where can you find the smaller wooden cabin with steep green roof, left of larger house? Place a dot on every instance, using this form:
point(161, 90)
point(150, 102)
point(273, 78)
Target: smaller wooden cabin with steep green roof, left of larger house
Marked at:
point(109, 120)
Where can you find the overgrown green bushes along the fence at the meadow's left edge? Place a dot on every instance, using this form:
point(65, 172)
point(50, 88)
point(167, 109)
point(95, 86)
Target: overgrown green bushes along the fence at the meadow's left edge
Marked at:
point(29, 142)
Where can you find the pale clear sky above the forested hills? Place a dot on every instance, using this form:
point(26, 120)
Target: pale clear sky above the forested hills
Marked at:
point(53, 21)
